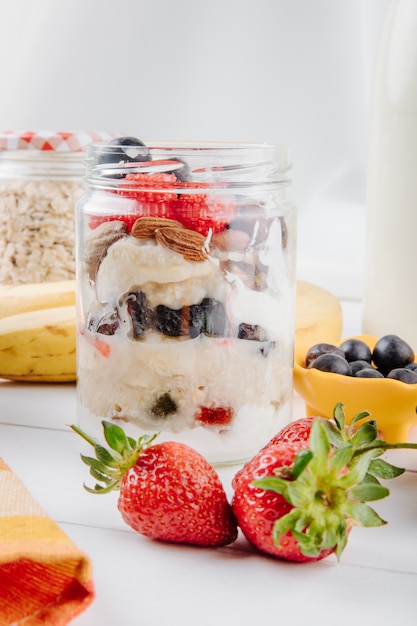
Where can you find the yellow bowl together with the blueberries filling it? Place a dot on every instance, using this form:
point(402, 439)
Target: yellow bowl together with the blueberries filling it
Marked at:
point(364, 373)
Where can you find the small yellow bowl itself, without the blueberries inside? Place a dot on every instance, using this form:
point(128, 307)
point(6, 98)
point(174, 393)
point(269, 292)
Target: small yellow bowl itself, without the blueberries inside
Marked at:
point(392, 403)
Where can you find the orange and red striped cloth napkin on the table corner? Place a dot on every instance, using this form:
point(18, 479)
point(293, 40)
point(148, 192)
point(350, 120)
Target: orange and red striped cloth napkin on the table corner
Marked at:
point(44, 577)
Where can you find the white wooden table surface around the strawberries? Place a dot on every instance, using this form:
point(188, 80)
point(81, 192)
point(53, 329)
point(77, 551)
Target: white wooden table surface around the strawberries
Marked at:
point(139, 581)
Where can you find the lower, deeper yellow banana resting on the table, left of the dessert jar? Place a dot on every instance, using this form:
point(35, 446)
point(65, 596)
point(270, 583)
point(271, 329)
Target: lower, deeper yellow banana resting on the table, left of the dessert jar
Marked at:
point(39, 346)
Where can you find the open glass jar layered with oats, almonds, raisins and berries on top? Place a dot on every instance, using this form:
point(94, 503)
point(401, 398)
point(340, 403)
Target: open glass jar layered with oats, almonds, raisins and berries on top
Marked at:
point(186, 293)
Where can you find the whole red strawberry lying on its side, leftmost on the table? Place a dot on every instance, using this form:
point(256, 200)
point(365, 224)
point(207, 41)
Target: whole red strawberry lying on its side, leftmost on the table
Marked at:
point(168, 491)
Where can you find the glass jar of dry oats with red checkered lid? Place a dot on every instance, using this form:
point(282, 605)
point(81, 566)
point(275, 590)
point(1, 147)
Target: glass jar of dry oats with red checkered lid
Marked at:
point(41, 178)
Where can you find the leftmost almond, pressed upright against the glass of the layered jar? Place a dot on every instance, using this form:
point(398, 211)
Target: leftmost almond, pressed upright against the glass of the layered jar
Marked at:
point(98, 242)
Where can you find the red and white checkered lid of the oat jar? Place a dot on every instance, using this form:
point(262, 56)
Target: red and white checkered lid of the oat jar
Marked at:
point(51, 140)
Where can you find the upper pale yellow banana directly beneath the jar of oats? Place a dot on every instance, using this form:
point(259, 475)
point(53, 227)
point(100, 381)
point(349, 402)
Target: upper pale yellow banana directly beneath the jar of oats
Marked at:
point(33, 296)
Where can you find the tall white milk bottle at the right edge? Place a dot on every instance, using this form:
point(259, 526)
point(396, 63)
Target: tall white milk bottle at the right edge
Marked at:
point(390, 298)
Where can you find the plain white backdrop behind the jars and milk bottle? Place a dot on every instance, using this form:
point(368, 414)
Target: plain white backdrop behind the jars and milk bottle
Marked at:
point(288, 71)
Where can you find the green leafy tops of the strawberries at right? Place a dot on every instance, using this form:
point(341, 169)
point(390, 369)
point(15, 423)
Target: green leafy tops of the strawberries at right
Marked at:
point(330, 484)
